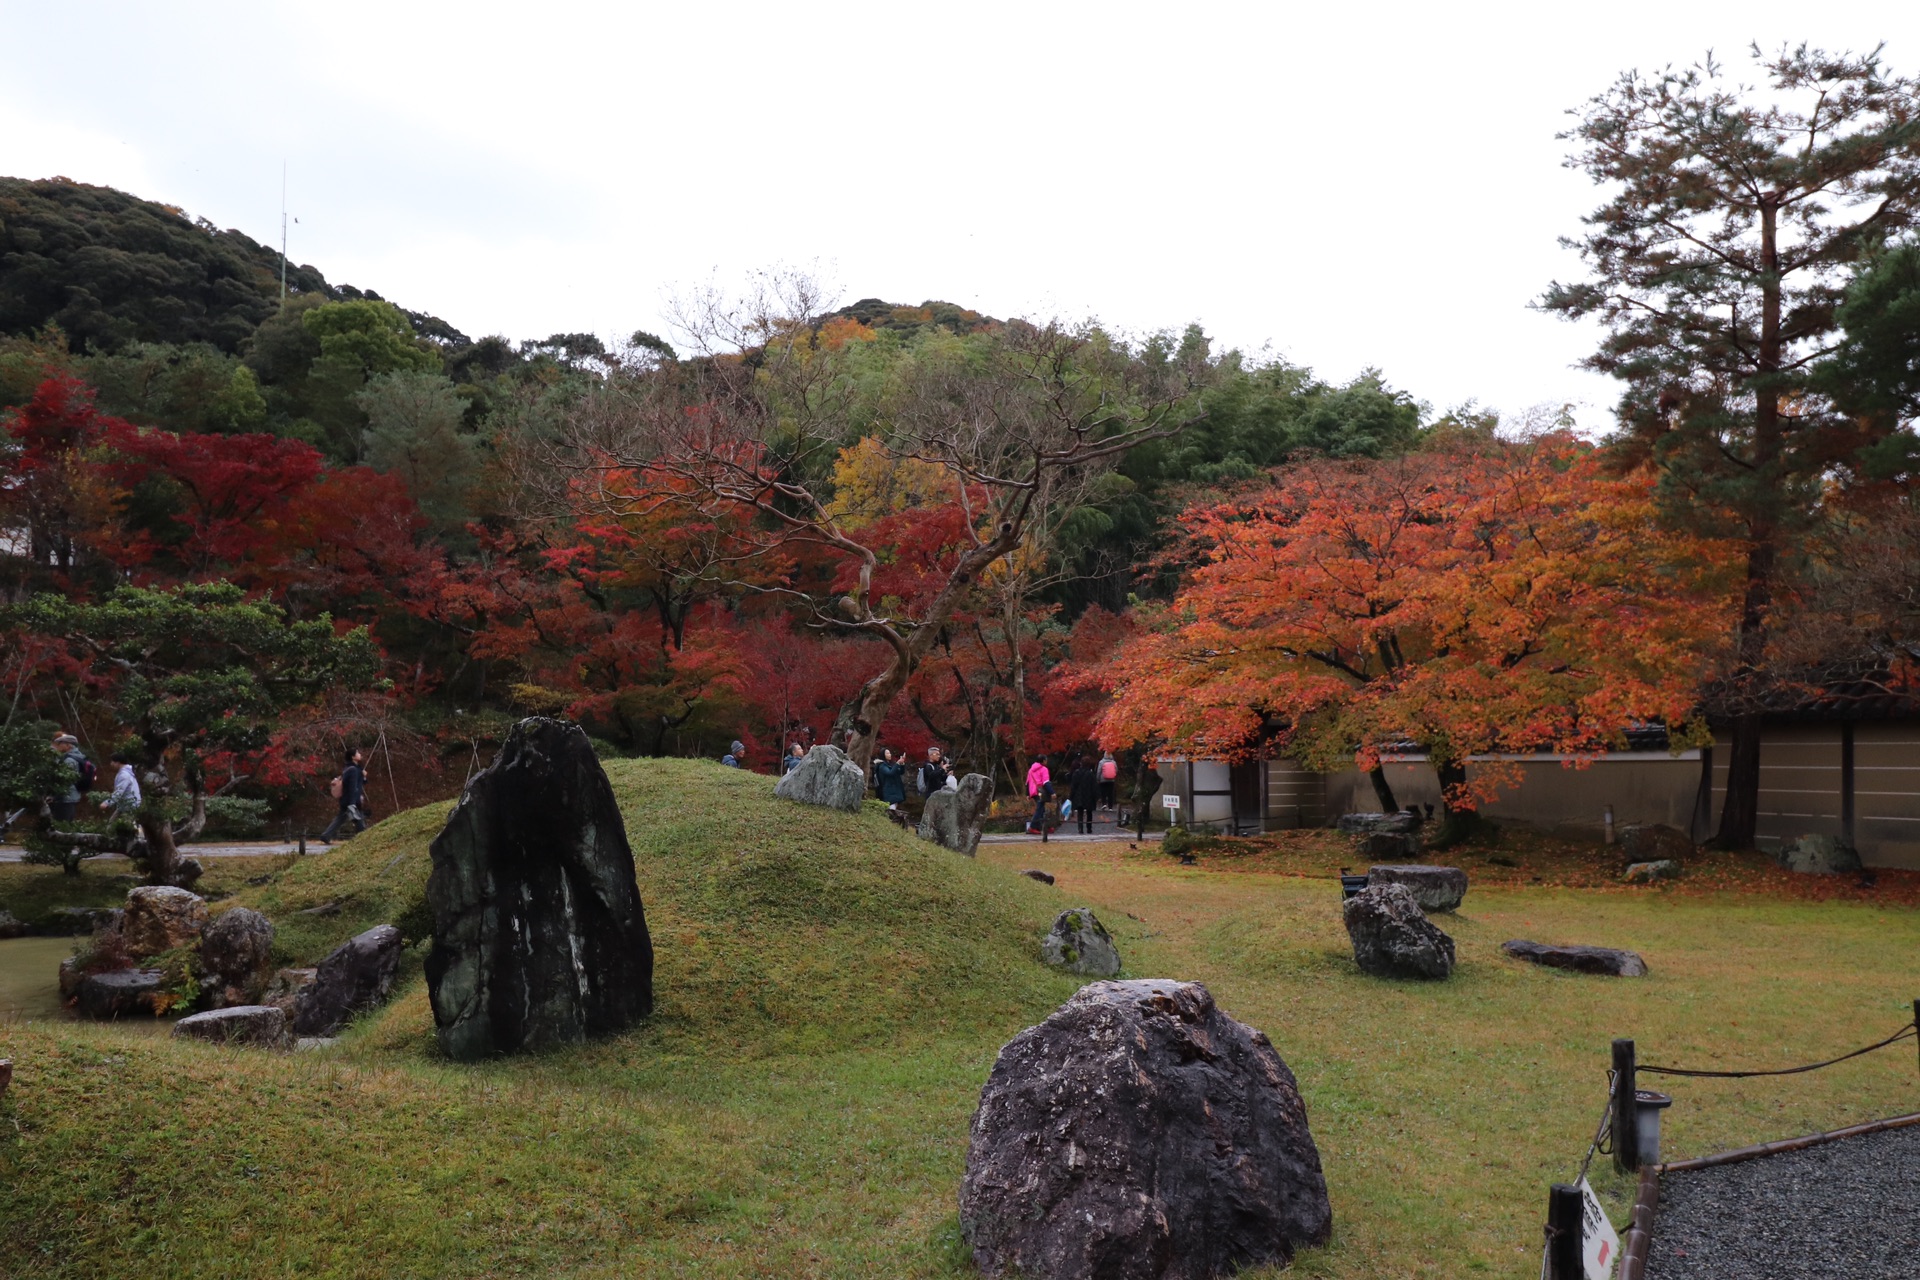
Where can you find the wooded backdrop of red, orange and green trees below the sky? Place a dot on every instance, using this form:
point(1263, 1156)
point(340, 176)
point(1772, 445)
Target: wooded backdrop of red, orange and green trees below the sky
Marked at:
point(913, 525)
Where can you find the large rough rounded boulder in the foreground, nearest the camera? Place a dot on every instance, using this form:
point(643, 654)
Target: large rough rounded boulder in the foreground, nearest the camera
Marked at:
point(1141, 1133)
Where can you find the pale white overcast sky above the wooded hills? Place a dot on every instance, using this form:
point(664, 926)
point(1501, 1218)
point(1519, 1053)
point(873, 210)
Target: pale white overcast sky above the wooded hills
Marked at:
point(1345, 185)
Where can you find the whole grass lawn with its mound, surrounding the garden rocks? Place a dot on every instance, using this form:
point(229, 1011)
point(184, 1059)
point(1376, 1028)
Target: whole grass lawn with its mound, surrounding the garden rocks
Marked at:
point(832, 995)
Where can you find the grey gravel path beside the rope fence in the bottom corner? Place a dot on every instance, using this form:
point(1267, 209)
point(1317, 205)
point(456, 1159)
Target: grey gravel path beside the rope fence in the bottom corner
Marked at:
point(1846, 1210)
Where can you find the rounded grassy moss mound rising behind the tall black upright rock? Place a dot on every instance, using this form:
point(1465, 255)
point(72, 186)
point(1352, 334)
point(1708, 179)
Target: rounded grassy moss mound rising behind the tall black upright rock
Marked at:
point(777, 926)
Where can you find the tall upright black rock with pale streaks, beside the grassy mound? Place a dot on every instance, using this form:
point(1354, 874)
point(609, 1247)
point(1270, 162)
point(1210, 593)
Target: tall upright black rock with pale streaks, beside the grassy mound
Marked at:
point(539, 930)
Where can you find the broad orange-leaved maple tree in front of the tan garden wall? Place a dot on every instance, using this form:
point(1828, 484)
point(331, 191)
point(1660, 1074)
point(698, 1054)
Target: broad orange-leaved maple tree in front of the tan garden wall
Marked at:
point(1470, 600)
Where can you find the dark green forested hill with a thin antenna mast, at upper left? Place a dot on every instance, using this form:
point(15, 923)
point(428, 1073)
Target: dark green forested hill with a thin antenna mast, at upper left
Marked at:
point(110, 270)
